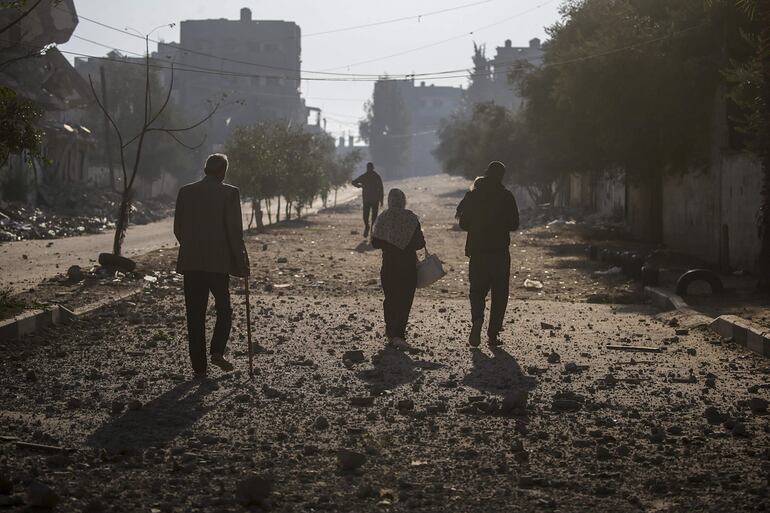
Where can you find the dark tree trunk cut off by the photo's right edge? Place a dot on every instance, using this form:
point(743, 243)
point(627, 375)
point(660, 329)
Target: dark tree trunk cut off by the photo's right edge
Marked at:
point(763, 265)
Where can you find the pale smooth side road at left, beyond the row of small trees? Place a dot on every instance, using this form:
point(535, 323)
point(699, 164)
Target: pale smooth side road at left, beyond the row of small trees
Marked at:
point(24, 264)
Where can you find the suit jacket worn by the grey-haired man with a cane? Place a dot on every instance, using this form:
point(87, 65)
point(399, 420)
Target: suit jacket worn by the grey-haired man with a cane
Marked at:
point(209, 228)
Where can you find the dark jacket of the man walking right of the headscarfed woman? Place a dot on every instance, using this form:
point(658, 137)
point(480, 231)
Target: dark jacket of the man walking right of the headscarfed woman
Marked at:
point(488, 213)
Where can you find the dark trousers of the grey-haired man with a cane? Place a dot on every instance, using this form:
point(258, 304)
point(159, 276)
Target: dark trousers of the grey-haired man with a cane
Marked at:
point(197, 285)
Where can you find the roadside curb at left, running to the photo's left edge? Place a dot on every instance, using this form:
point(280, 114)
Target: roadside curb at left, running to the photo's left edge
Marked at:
point(36, 320)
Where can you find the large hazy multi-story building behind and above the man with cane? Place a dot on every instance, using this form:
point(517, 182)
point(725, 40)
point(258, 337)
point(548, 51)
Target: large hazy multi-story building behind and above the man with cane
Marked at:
point(251, 67)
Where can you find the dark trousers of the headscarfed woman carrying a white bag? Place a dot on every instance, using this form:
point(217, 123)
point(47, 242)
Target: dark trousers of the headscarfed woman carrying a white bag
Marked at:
point(399, 284)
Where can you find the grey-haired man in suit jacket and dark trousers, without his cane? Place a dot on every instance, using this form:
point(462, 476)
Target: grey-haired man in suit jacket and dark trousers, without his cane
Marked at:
point(209, 227)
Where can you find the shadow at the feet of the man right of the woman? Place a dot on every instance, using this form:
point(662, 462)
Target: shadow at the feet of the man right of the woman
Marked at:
point(499, 374)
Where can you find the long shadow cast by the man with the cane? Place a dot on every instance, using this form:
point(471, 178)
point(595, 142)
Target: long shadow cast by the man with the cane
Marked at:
point(156, 423)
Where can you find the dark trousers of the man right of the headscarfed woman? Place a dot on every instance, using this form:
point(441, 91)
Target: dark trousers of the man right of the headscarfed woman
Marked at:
point(490, 271)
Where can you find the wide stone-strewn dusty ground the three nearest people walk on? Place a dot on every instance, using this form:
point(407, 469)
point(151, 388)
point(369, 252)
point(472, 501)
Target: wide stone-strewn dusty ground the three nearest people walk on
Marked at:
point(552, 421)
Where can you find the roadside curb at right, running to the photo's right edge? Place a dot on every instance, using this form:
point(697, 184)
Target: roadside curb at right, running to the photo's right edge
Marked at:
point(750, 335)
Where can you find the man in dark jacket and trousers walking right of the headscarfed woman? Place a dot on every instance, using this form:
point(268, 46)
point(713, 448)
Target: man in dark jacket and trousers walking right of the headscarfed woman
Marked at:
point(488, 212)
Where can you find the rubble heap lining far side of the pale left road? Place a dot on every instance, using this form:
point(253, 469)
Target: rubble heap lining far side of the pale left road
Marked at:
point(67, 212)
